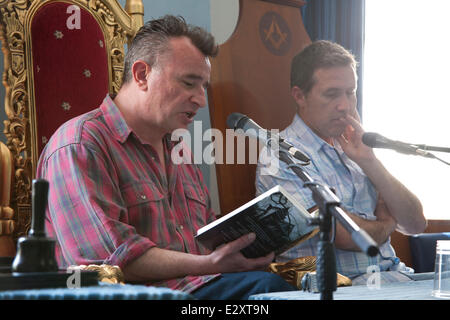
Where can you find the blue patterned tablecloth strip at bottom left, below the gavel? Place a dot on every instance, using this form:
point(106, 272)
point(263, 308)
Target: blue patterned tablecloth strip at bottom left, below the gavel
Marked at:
point(101, 292)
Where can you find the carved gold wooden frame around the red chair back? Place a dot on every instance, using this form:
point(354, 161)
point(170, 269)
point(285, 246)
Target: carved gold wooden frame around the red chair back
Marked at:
point(119, 27)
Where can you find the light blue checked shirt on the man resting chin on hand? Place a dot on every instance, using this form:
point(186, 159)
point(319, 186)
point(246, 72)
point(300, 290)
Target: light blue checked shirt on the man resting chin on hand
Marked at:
point(332, 167)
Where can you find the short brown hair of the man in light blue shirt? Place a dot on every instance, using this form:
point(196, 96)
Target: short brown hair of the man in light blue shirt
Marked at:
point(319, 54)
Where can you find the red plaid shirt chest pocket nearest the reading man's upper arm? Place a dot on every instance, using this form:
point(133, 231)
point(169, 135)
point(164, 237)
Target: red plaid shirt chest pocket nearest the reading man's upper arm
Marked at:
point(145, 204)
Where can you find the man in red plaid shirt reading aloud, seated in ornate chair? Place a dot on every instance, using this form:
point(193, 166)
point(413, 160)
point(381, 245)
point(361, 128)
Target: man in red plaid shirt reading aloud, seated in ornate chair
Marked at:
point(115, 195)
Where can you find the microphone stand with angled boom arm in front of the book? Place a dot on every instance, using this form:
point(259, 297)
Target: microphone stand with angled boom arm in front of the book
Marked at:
point(329, 210)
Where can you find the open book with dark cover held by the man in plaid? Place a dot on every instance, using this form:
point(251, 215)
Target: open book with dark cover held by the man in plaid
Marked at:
point(277, 219)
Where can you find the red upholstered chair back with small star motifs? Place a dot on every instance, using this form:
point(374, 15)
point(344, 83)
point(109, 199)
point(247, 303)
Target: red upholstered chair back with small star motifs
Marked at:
point(70, 69)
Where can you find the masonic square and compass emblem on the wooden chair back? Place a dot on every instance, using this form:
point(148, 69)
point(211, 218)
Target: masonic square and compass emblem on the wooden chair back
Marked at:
point(274, 33)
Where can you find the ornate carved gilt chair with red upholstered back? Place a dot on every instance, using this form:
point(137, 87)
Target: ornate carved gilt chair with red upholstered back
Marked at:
point(61, 59)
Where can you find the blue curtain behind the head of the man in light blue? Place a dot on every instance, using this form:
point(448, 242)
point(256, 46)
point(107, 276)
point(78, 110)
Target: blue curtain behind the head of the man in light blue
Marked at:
point(341, 21)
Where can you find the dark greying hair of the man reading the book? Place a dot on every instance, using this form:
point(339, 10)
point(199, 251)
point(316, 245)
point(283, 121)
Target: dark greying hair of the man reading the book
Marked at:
point(153, 37)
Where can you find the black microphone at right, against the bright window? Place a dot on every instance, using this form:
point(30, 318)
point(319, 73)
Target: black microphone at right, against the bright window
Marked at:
point(375, 140)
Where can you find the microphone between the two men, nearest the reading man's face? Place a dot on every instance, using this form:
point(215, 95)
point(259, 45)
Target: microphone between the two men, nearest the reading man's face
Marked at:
point(252, 129)
